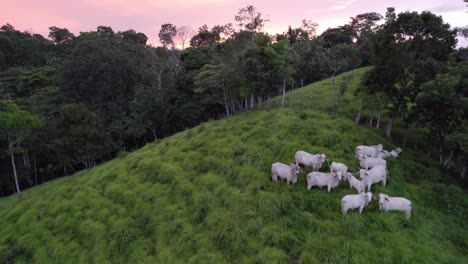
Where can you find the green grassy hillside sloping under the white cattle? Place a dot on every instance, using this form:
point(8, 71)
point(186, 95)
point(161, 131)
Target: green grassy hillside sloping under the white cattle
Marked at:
point(205, 195)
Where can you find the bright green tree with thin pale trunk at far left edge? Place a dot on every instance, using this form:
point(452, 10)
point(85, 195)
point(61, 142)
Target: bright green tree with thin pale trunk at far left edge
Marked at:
point(15, 126)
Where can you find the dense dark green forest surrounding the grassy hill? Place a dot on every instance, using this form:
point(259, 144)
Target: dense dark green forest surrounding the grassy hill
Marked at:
point(68, 103)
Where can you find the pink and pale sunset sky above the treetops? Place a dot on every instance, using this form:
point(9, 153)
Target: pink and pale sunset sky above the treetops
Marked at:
point(147, 16)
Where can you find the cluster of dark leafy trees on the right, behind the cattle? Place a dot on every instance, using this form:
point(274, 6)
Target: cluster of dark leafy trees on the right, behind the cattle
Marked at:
point(417, 75)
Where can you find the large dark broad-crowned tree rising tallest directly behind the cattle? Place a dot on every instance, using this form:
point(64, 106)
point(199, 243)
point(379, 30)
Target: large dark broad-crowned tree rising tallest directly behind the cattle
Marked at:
point(407, 51)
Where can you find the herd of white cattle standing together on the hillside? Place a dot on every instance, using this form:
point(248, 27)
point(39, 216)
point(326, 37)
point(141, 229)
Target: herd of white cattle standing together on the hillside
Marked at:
point(373, 170)
